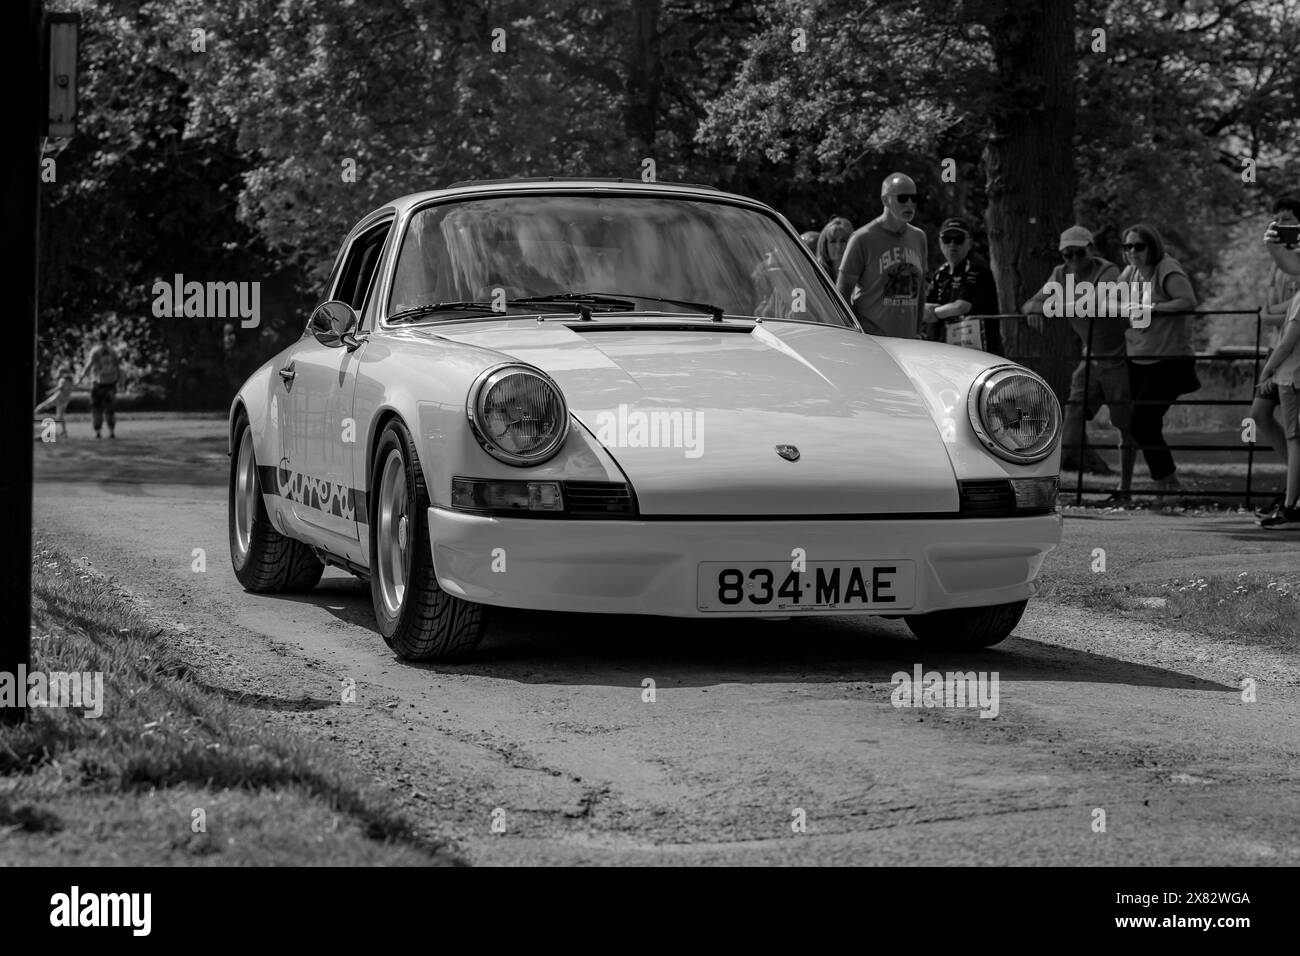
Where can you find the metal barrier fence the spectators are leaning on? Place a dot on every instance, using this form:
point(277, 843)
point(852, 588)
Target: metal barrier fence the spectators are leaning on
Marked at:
point(1089, 360)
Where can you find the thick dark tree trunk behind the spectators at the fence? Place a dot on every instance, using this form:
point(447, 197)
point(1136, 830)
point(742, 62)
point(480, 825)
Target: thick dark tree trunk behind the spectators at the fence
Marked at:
point(1030, 167)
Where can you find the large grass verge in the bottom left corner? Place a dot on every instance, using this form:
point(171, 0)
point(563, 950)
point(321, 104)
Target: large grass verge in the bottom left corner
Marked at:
point(128, 788)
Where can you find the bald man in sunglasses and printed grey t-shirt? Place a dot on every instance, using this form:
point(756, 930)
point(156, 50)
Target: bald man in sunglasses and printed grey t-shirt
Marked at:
point(883, 271)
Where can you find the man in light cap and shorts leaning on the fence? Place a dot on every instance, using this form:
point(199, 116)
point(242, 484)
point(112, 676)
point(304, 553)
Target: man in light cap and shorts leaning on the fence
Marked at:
point(1108, 379)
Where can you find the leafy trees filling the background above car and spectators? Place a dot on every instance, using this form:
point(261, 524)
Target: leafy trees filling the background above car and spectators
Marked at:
point(249, 158)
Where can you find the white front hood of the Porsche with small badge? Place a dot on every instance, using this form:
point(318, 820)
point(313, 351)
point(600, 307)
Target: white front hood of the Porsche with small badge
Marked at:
point(695, 414)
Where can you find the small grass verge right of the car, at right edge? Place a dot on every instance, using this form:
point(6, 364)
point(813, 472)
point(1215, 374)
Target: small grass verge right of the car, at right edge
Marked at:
point(1247, 607)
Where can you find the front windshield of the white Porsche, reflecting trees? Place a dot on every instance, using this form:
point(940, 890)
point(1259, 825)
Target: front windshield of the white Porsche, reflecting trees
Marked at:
point(662, 254)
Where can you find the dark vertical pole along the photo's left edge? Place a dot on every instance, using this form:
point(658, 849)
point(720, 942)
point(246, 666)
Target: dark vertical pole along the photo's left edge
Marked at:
point(24, 46)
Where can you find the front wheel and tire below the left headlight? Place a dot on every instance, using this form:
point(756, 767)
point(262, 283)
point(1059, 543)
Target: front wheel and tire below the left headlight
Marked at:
point(418, 620)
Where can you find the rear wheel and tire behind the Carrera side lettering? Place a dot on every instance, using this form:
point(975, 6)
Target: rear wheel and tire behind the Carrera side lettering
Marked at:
point(265, 560)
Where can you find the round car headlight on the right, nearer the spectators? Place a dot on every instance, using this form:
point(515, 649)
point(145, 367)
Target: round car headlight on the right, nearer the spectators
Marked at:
point(1015, 414)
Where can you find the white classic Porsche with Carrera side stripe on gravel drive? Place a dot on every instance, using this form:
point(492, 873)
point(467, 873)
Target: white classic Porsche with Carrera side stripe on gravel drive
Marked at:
point(631, 399)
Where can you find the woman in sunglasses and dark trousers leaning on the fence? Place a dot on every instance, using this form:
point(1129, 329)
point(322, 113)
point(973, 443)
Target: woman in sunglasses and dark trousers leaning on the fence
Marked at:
point(1162, 361)
